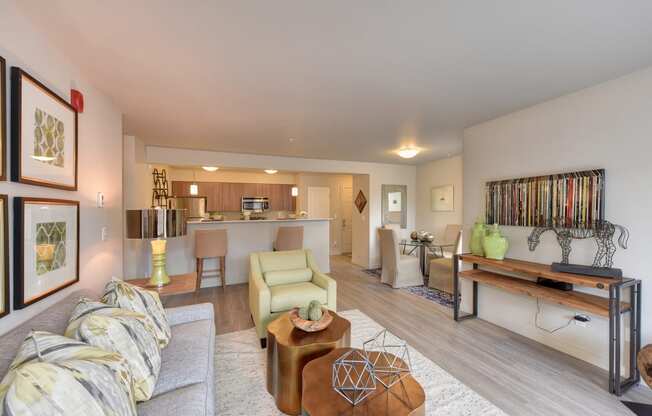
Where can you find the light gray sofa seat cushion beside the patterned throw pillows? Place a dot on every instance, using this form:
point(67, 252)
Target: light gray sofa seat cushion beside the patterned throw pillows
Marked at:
point(185, 360)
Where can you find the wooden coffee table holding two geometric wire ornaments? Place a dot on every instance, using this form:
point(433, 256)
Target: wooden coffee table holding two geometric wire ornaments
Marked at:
point(405, 398)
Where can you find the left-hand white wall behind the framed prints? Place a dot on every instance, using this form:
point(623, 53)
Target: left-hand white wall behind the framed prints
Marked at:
point(100, 158)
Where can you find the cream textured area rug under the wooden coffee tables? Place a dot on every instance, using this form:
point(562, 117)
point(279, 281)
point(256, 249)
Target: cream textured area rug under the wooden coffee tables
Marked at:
point(240, 376)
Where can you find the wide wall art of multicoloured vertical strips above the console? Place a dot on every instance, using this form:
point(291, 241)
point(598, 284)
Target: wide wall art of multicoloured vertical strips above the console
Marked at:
point(570, 200)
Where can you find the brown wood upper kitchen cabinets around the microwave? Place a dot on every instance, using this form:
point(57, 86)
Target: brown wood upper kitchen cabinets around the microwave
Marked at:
point(225, 196)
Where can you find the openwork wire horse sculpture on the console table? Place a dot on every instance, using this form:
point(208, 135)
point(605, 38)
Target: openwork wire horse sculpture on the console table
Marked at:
point(602, 231)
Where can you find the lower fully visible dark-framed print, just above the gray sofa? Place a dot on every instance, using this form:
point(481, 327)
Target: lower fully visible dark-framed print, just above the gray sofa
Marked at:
point(46, 248)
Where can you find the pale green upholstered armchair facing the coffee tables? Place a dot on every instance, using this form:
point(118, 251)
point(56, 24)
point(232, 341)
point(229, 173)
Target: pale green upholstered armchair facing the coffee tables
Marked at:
point(282, 280)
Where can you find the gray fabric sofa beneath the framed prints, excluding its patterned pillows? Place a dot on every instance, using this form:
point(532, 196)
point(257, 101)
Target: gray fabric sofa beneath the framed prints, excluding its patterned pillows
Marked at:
point(186, 383)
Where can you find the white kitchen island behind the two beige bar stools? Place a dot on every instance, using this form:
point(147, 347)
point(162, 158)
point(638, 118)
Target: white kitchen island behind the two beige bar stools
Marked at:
point(245, 237)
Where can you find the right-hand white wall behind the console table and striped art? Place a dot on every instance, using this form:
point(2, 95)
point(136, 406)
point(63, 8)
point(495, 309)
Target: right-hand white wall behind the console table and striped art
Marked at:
point(607, 126)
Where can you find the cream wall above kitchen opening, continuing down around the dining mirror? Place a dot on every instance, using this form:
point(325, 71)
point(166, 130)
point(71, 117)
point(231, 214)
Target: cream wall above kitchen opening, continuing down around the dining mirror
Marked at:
point(379, 174)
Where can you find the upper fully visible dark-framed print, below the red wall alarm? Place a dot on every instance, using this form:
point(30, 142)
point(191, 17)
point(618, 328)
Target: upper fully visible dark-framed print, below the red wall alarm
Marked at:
point(44, 135)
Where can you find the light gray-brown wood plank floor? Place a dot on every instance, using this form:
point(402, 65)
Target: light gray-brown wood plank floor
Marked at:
point(520, 376)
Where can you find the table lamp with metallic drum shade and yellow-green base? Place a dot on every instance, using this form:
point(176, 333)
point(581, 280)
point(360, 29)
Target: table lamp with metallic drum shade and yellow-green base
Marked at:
point(157, 224)
